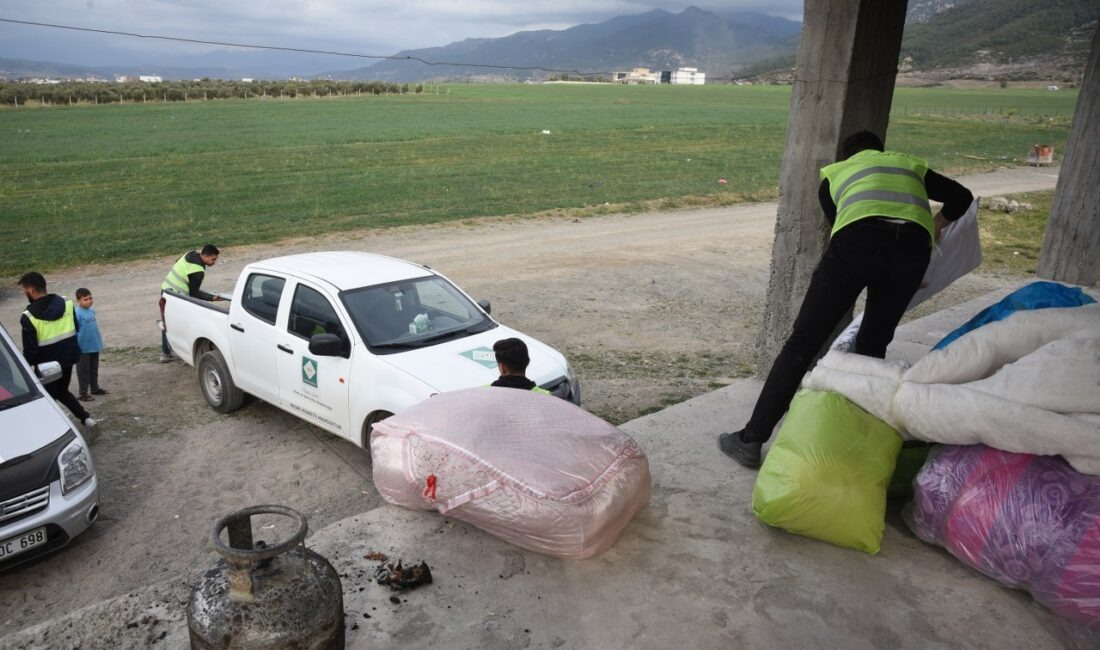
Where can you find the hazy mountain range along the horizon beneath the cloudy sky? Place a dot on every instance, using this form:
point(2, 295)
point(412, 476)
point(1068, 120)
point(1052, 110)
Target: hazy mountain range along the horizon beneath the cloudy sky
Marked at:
point(939, 35)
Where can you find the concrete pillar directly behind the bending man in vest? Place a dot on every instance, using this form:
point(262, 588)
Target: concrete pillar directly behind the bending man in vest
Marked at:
point(844, 83)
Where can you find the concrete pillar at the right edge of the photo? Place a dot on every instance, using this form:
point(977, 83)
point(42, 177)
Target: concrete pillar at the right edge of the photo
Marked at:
point(1072, 246)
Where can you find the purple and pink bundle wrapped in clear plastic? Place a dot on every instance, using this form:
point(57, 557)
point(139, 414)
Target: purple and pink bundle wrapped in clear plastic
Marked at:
point(1028, 522)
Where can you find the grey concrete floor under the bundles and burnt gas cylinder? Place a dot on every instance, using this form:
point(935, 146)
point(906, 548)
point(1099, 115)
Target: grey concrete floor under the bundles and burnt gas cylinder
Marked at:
point(695, 569)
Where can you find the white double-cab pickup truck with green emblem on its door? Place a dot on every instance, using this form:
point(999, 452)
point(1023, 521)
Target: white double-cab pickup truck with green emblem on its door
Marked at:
point(345, 339)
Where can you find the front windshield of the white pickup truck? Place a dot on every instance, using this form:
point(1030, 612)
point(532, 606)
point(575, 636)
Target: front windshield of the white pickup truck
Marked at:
point(413, 314)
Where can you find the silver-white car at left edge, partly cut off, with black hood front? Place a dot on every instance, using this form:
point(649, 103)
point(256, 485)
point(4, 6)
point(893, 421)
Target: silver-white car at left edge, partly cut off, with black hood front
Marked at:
point(49, 493)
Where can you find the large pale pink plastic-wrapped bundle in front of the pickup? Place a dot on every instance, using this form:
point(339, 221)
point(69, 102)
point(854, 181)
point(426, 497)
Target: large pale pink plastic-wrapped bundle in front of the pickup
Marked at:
point(531, 469)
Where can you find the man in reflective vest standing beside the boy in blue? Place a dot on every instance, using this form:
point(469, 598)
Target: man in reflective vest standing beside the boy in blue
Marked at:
point(49, 327)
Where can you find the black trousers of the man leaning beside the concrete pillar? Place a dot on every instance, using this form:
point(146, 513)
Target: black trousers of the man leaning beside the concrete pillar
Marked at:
point(888, 260)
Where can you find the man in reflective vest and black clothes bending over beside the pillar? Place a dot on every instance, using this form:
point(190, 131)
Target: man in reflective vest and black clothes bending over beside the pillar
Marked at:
point(882, 240)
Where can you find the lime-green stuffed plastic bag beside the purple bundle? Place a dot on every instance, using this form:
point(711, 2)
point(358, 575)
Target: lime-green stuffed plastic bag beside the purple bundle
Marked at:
point(827, 475)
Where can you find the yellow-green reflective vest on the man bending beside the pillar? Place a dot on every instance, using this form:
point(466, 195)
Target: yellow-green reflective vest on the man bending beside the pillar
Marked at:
point(879, 184)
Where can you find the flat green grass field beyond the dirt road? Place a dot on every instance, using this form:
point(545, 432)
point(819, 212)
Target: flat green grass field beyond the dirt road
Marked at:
point(101, 184)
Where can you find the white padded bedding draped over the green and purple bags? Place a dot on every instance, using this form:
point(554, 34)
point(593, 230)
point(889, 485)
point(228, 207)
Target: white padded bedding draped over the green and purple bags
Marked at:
point(1027, 384)
